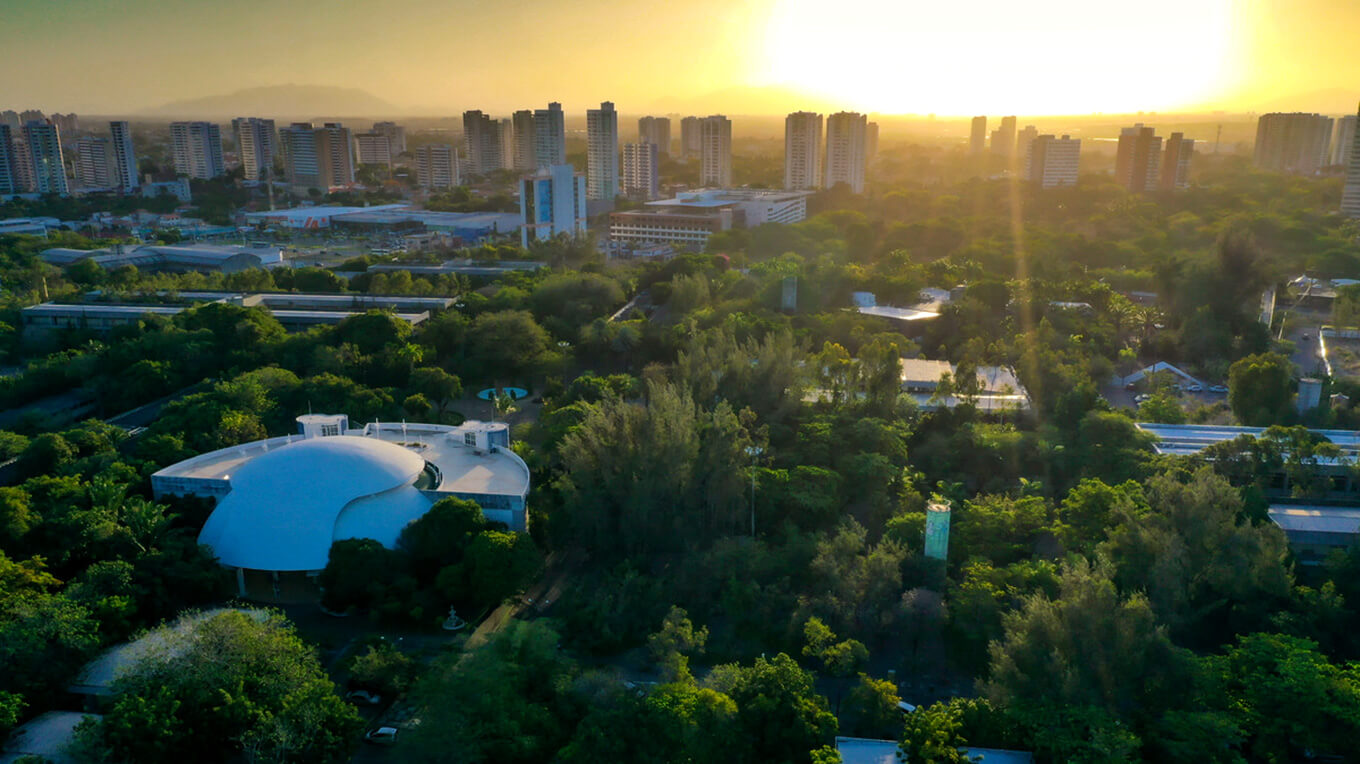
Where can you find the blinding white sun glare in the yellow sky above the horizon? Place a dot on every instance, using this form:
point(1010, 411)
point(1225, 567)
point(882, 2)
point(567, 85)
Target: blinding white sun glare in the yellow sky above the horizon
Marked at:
point(1000, 56)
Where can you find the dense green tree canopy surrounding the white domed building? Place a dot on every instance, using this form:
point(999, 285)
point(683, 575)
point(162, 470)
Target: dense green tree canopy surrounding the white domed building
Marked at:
point(736, 494)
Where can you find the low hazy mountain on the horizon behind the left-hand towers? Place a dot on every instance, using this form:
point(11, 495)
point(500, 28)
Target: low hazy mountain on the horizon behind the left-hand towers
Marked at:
point(282, 101)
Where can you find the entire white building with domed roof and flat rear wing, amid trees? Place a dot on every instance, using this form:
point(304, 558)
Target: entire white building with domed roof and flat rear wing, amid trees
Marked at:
point(284, 502)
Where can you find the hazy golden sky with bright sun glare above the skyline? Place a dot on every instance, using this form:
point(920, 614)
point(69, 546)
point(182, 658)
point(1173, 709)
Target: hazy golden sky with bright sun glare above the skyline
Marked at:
point(886, 56)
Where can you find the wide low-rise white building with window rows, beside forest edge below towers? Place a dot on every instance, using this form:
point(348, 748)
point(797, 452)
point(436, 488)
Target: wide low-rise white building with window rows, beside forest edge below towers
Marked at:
point(689, 220)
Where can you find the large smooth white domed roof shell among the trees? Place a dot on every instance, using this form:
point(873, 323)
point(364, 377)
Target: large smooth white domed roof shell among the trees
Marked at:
point(288, 506)
